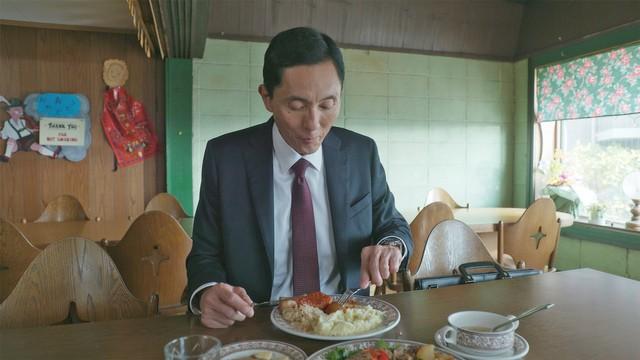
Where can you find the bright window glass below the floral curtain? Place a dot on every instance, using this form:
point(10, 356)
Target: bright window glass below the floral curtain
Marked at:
point(584, 163)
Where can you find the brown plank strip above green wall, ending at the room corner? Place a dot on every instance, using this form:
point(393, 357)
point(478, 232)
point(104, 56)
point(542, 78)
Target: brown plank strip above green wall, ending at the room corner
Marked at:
point(469, 28)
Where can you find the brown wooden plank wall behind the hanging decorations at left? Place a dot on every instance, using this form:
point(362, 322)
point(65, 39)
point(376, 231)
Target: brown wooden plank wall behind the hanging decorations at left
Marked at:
point(43, 60)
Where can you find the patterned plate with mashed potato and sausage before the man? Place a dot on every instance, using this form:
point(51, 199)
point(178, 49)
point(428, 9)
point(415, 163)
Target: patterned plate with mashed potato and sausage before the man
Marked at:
point(362, 317)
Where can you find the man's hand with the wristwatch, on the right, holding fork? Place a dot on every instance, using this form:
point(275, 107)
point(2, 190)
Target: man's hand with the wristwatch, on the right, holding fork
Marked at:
point(378, 262)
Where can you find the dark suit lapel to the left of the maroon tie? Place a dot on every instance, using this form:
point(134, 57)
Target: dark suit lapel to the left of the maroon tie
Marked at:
point(259, 162)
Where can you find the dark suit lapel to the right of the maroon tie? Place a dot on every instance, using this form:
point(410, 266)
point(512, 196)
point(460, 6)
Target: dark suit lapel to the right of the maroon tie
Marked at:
point(335, 161)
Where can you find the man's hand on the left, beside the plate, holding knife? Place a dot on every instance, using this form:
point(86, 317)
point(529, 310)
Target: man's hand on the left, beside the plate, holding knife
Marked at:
point(222, 305)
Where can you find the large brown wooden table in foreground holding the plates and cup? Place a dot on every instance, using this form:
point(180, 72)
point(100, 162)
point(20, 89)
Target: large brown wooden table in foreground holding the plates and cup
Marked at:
point(596, 316)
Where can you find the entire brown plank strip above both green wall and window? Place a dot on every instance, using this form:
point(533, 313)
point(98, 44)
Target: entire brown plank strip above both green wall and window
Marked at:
point(492, 29)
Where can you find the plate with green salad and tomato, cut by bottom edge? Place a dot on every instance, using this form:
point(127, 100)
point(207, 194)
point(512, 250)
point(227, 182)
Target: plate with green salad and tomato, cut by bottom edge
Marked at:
point(382, 349)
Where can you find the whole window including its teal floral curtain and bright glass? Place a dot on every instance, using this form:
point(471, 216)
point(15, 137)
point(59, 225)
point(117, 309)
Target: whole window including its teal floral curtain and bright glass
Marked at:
point(587, 137)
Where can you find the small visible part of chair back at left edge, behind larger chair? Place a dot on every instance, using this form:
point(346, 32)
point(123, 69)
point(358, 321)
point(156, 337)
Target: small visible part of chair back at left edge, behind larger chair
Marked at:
point(16, 253)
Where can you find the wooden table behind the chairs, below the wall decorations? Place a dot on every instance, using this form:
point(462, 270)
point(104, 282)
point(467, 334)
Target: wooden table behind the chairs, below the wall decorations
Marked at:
point(42, 234)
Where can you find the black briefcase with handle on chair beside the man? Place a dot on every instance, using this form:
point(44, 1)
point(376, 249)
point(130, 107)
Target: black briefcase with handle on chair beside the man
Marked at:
point(465, 277)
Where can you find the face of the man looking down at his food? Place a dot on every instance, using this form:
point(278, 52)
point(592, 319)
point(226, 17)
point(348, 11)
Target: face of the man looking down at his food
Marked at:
point(305, 104)
